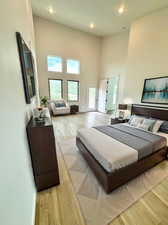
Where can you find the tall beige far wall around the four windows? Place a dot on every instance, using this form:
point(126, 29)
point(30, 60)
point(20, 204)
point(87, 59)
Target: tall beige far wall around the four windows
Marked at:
point(56, 39)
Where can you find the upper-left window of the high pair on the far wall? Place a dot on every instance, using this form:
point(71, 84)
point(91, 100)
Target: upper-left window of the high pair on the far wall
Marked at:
point(54, 63)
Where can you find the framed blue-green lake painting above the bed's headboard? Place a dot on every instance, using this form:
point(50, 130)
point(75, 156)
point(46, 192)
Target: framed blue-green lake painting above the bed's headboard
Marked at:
point(155, 91)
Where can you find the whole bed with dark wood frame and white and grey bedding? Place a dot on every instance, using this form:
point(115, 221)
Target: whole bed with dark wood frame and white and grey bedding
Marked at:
point(117, 172)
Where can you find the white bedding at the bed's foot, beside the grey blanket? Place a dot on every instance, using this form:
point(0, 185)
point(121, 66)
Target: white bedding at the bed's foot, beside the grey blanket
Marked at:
point(111, 153)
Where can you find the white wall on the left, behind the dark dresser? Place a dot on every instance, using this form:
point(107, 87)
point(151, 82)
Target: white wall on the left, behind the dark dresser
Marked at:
point(17, 191)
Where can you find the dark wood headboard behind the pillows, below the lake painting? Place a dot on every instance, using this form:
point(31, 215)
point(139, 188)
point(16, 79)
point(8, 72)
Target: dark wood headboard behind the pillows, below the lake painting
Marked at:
point(150, 111)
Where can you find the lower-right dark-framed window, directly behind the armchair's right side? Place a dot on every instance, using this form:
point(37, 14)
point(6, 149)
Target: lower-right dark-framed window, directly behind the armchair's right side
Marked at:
point(73, 90)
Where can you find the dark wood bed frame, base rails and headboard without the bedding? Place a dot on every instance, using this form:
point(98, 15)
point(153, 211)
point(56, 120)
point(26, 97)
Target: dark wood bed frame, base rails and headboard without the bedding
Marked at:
point(112, 180)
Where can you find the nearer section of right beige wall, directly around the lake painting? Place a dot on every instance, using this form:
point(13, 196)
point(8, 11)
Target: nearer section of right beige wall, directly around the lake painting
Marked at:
point(147, 53)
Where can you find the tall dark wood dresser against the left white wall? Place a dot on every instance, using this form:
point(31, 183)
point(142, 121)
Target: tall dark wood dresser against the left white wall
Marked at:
point(43, 154)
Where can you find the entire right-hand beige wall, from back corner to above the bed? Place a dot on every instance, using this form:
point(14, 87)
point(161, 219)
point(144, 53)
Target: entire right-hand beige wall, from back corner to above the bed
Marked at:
point(141, 53)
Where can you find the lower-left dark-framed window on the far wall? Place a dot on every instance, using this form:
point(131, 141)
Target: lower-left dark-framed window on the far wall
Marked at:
point(55, 88)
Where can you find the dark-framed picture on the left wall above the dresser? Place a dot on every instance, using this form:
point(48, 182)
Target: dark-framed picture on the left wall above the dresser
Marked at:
point(27, 67)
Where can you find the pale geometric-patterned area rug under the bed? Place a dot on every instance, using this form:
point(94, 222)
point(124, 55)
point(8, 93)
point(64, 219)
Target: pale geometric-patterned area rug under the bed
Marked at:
point(98, 208)
